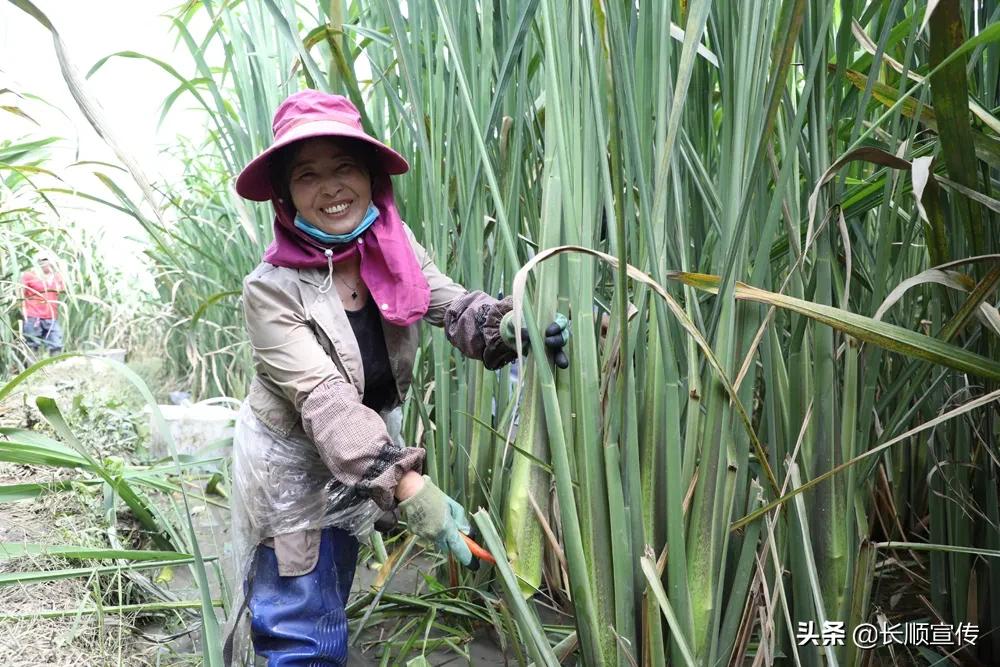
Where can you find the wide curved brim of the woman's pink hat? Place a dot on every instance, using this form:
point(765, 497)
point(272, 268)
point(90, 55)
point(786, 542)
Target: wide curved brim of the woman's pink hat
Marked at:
point(254, 182)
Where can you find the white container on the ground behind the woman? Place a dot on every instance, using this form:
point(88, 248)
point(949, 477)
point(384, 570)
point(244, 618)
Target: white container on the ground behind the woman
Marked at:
point(193, 427)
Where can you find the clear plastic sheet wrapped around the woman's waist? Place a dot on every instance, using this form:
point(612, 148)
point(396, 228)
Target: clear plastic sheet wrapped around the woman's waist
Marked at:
point(281, 485)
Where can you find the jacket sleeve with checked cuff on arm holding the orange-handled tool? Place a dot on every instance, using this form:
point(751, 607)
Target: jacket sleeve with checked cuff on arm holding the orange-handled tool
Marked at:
point(351, 439)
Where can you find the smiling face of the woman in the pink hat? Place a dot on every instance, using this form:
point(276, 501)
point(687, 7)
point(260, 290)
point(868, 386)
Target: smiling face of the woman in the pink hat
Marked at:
point(330, 186)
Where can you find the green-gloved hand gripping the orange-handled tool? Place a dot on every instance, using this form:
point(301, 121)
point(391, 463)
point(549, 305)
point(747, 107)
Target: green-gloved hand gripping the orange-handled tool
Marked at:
point(437, 518)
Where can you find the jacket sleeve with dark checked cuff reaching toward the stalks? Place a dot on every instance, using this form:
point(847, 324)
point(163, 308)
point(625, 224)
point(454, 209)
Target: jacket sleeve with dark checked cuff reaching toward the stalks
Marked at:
point(471, 320)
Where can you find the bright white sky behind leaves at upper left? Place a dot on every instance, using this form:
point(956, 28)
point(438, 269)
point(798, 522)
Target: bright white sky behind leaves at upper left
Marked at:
point(130, 93)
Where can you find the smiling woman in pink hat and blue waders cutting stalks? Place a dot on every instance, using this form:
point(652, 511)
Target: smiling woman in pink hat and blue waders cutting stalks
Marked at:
point(331, 314)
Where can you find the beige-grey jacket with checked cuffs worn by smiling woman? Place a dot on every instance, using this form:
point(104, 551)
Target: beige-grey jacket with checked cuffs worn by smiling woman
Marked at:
point(310, 380)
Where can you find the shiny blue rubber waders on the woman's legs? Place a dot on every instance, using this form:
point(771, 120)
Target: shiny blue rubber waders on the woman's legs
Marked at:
point(300, 621)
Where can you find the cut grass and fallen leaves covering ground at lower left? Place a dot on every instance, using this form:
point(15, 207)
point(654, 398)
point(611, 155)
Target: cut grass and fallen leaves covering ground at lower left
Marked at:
point(63, 603)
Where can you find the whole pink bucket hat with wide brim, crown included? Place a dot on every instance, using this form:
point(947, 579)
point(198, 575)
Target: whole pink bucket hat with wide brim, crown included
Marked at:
point(304, 115)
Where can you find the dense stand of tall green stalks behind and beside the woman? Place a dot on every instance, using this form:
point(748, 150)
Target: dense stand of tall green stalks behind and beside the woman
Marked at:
point(682, 139)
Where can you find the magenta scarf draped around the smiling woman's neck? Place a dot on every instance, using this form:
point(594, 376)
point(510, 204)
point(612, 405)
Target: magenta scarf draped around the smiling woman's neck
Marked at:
point(389, 267)
